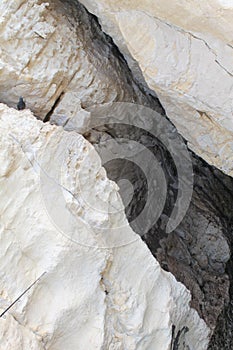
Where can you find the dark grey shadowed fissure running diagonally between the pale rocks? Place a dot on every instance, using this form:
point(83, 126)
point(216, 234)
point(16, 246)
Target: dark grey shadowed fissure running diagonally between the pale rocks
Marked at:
point(199, 251)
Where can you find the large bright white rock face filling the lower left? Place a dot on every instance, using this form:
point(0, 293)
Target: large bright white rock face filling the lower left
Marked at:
point(101, 290)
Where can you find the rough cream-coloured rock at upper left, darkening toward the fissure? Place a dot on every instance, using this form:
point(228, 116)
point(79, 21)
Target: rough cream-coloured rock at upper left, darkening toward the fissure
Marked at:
point(52, 51)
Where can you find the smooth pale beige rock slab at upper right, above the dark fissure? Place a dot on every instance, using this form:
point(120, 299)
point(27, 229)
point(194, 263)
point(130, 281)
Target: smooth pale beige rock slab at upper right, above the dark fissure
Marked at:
point(184, 50)
